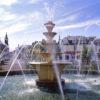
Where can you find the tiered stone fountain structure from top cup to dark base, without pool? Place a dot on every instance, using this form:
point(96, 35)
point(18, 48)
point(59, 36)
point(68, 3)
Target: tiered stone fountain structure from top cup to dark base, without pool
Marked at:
point(45, 69)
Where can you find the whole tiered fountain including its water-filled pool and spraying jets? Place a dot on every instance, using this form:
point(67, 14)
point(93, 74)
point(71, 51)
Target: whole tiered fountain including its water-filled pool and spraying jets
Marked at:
point(49, 69)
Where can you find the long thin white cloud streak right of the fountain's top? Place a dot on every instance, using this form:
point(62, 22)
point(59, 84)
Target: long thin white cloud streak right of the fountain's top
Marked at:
point(84, 24)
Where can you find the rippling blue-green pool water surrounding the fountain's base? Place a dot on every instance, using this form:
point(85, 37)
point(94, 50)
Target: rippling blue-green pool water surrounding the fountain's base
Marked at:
point(16, 88)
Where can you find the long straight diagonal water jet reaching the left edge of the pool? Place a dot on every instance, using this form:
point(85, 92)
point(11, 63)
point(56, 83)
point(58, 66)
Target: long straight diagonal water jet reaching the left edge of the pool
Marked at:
point(2, 84)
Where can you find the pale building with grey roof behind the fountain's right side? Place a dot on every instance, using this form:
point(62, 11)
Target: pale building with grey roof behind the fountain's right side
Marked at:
point(72, 46)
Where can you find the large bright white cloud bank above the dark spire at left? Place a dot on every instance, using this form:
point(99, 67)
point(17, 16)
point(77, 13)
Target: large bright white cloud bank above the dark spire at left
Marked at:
point(13, 23)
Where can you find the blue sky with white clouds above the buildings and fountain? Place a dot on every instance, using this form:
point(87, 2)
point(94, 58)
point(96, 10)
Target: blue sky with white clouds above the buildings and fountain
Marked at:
point(23, 20)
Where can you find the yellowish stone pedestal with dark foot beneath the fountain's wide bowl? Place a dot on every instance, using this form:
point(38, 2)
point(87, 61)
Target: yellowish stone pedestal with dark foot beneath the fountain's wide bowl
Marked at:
point(46, 76)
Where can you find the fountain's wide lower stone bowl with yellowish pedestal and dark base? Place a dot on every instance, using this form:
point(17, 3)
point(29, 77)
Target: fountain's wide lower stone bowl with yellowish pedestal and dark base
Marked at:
point(46, 73)
